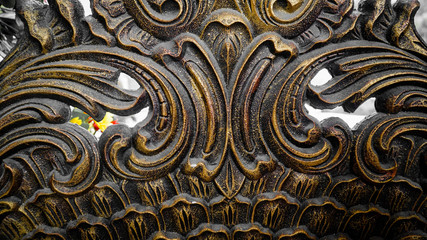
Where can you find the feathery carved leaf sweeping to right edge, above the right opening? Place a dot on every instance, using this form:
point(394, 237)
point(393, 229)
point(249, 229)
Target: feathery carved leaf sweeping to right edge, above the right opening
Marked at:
point(362, 73)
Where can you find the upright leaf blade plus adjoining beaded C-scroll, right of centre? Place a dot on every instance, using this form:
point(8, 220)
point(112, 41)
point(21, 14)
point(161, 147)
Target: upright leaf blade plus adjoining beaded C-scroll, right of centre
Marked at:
point(267, 103)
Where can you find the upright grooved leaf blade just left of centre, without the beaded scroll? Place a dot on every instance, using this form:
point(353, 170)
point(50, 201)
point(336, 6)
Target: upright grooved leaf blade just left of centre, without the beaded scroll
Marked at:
point(199, 74)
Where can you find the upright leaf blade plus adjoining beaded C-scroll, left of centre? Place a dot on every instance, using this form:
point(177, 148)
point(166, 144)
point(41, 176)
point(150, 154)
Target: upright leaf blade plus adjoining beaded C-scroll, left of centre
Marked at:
point(188, 108)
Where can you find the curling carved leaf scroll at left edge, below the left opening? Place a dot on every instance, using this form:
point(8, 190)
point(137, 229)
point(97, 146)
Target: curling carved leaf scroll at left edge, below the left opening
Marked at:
point(77, 147)
